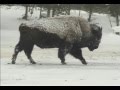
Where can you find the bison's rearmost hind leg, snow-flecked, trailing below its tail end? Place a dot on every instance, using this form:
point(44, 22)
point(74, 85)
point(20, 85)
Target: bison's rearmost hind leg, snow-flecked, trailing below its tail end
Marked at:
point(17, 49)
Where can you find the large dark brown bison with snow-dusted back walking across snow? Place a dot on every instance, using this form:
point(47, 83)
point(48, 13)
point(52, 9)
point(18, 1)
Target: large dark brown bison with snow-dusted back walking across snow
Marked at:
point(67, 33)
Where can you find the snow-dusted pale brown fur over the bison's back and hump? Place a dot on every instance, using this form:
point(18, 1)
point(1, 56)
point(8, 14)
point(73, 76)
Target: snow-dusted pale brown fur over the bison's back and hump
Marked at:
point(68, 27)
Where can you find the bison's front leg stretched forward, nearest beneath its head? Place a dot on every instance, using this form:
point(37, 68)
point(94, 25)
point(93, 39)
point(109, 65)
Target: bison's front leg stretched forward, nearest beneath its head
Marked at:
point(77, 53)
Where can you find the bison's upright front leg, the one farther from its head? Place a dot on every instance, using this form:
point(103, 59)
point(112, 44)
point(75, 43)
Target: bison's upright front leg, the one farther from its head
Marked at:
point(63, 51)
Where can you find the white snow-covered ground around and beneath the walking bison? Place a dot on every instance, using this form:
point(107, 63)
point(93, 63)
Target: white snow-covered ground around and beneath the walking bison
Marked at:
point(103, 64)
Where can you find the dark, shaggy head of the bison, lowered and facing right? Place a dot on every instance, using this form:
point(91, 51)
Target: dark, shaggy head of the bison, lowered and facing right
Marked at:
point(95, 38)
